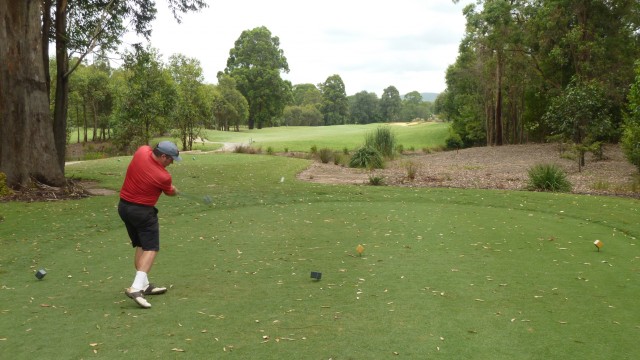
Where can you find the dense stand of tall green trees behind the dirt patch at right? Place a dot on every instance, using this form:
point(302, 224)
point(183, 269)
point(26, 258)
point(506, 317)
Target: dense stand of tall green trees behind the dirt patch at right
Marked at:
point(520, 60)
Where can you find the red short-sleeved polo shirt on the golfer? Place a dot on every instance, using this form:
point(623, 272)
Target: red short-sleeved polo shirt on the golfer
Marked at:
point(146, 179)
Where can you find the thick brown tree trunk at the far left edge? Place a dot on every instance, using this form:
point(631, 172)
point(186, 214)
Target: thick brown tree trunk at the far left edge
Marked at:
point(27, 147)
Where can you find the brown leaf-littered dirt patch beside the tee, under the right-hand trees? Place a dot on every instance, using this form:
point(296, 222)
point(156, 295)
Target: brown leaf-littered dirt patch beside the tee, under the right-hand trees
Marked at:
point(498, 167)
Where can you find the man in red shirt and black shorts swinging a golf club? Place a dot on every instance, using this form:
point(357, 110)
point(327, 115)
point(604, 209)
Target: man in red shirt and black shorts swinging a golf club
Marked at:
point(146, 179)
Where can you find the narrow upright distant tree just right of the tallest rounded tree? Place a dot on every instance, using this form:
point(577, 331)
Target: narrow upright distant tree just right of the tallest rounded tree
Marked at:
point(335, 108)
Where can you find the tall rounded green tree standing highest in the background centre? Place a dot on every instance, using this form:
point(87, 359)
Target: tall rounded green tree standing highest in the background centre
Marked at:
point(255, 62)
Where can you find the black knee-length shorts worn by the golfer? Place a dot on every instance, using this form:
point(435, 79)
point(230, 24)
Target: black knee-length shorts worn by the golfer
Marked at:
point(142, 224)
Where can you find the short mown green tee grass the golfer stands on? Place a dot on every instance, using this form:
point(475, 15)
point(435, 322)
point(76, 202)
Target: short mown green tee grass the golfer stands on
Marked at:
point(457, 274)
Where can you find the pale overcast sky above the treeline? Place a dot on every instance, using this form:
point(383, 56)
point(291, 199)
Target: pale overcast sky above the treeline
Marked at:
point(371, 44)
